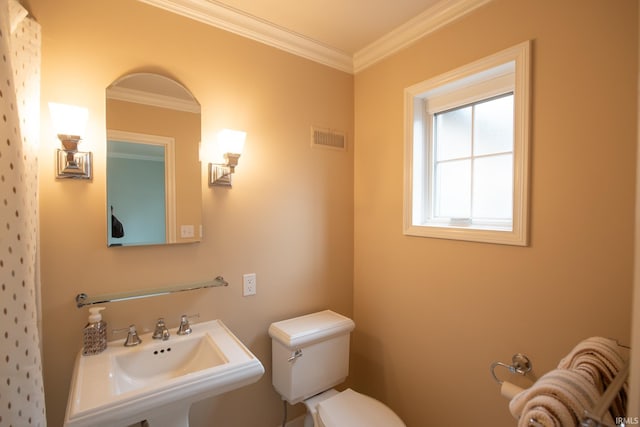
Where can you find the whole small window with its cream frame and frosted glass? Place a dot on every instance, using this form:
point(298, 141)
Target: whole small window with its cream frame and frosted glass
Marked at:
point(466, 152)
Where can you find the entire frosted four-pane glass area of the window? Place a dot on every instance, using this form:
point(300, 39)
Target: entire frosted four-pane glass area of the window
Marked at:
point(473, 161)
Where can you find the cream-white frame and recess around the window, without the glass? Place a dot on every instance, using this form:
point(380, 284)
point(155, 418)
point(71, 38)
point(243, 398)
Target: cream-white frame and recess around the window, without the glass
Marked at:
point(505, 71)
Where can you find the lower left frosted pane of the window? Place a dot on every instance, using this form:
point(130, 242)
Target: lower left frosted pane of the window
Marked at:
point(453, 189)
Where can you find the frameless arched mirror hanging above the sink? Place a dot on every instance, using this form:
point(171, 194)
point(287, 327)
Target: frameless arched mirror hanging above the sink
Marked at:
point(153, 170)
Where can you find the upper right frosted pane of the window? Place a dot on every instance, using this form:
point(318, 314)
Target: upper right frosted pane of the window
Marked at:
point(493, 127)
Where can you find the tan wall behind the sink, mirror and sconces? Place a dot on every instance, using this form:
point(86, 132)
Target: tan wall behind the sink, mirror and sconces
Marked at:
point(288, 218)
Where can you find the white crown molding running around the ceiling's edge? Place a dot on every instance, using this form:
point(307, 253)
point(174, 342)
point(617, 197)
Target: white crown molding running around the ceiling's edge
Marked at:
point(216, 14)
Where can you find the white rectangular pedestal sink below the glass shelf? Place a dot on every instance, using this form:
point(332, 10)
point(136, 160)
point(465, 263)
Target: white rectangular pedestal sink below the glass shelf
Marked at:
point(157, 381)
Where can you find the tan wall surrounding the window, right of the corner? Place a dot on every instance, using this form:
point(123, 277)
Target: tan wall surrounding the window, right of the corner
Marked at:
point(431, 315)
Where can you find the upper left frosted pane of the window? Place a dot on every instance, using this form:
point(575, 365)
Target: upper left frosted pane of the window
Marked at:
point(453, 134)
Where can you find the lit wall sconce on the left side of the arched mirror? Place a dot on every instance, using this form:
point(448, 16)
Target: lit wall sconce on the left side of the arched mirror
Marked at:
point(70, 122)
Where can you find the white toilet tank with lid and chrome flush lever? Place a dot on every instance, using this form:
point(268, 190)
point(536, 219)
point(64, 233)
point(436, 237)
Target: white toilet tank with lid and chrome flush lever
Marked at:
point(310, 354)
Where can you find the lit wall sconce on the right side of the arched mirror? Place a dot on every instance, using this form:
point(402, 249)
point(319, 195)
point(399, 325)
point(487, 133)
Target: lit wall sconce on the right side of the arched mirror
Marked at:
point(230, 144)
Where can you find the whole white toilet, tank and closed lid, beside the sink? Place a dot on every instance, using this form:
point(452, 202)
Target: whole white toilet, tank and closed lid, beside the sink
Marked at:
point(310, 356)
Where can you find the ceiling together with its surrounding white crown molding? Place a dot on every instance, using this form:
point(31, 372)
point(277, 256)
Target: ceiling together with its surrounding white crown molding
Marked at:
point(348, 35)
